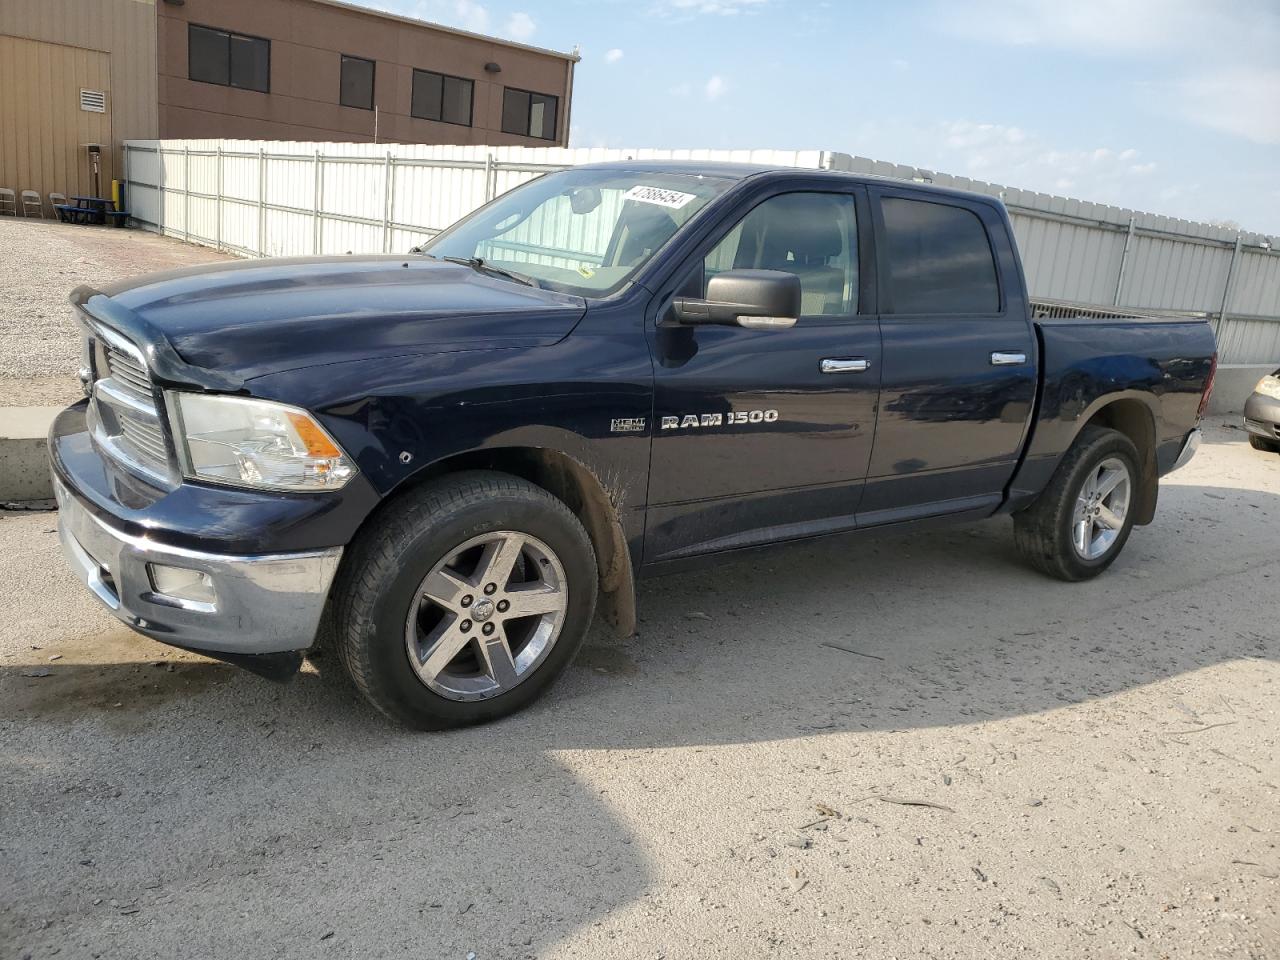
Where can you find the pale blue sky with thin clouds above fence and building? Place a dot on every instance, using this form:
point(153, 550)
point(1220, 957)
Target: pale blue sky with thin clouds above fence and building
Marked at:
point(1171, 107)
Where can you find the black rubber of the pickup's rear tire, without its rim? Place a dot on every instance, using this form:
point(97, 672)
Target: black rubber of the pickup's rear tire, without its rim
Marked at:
point(1043, 533)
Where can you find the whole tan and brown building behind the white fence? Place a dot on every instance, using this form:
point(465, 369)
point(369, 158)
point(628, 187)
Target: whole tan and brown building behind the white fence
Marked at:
point(81, 72)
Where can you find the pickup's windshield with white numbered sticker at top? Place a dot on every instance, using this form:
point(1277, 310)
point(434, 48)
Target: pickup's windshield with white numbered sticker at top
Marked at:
point(579, 231)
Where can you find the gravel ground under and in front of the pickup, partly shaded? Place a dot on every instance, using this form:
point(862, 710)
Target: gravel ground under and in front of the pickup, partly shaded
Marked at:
point(743, 780)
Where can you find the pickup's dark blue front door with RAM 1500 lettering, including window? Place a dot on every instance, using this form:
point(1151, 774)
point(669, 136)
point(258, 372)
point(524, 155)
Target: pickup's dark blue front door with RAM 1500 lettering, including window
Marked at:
point(766, 435)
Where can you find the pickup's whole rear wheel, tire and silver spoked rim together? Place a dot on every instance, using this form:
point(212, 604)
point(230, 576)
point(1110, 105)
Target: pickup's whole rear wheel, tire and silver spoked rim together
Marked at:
point(1084, 519)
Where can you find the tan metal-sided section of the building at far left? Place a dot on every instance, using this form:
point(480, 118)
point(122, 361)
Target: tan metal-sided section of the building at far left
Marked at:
point(49, 51)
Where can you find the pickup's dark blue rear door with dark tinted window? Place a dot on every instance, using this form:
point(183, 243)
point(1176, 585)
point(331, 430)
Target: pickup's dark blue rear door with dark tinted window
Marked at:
point(958, 381)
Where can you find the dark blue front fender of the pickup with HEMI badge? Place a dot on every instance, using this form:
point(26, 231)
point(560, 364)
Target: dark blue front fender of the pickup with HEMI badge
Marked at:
point(401, 418)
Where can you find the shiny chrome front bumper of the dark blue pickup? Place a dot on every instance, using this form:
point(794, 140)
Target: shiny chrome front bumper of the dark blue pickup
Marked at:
point(269, 604)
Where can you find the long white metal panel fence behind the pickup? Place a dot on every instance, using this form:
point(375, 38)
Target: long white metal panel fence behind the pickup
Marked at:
point(287, 199)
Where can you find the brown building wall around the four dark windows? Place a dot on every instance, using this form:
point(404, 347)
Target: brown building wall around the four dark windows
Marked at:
point(308, 39)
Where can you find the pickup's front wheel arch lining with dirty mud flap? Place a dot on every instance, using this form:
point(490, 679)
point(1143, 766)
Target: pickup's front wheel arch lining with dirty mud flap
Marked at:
point(580, 490)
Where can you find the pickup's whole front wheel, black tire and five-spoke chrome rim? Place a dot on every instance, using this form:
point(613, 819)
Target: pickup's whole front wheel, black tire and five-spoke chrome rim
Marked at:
point(465, 601)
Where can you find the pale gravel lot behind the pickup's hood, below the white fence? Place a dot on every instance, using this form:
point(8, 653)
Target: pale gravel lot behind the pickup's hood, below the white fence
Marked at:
point(45, 262)
